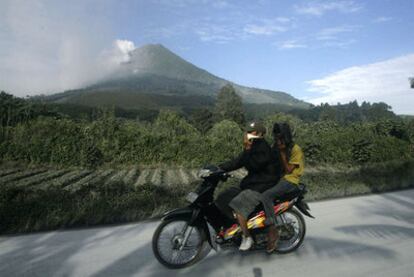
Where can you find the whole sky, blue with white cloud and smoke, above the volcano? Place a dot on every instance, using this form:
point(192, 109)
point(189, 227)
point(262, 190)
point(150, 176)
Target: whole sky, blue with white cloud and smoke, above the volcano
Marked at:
point(319, 51)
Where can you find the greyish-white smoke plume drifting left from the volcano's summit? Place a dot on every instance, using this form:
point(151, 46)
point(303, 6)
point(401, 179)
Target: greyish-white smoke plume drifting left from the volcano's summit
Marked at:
point(52, 47)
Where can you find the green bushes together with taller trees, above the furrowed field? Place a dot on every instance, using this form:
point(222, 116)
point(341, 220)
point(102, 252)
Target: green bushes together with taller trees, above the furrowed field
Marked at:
point(347, 134)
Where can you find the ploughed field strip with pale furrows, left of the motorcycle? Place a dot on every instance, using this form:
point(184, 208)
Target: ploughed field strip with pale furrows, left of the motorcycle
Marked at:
point(72, 180)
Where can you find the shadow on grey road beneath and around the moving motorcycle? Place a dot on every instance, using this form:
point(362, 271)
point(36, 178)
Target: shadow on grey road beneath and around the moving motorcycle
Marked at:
point(220, 264)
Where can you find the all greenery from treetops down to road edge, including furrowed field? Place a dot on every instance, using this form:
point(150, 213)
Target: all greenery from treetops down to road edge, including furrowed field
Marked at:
point(349, 149)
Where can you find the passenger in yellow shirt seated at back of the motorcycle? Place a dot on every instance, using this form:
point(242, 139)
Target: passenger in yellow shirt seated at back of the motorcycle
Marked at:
point(291, 157)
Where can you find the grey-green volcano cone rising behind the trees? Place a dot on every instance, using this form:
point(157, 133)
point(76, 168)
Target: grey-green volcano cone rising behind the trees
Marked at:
point(153, 69)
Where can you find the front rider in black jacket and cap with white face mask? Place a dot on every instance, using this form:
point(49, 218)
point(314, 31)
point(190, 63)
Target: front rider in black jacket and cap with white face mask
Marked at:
point(262, 165)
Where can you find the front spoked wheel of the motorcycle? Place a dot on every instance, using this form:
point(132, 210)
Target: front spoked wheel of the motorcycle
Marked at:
point(176, 244)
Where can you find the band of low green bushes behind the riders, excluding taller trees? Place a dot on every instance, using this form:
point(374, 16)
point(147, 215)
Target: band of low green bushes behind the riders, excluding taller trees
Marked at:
point(173, 140)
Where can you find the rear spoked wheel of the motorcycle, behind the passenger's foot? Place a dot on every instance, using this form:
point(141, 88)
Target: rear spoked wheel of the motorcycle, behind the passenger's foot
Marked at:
point(292, 233)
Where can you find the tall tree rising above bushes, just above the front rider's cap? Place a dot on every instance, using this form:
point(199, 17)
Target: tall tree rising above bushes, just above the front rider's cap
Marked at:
point(229, 106)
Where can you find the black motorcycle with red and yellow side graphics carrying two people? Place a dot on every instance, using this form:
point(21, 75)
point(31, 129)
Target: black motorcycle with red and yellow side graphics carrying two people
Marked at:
point(186, 235)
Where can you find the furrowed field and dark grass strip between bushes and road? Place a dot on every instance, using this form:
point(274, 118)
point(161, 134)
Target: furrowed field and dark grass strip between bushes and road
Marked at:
point(31, 200)
